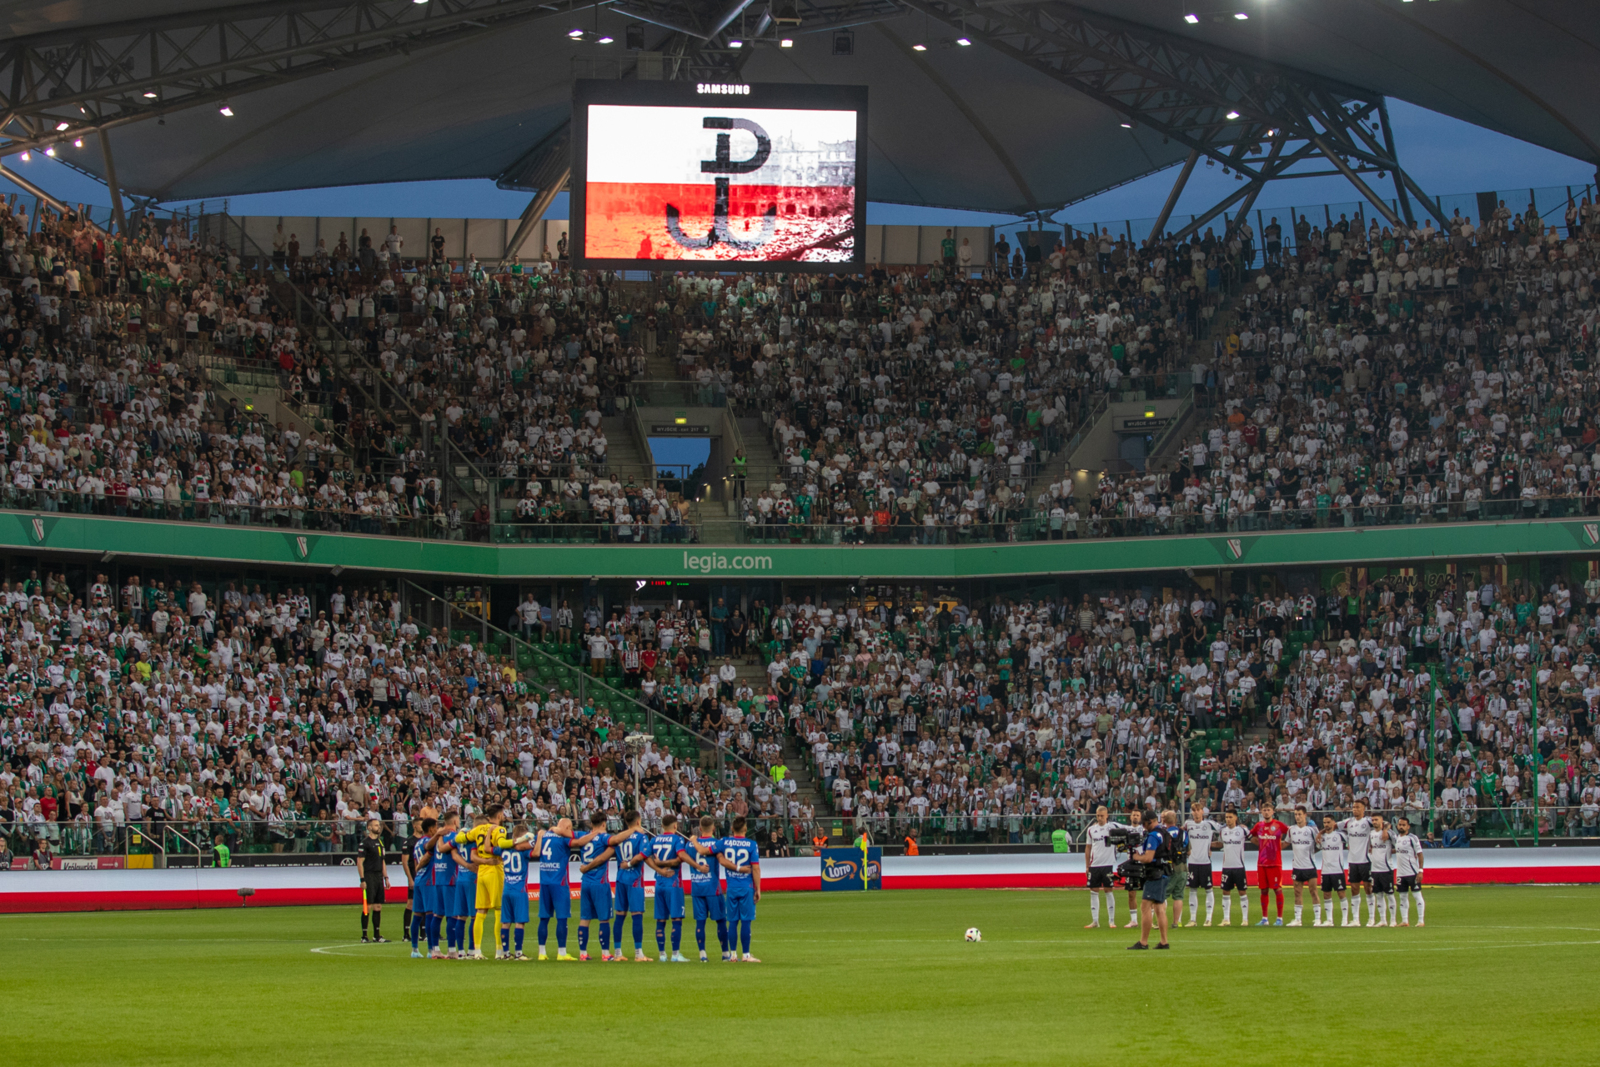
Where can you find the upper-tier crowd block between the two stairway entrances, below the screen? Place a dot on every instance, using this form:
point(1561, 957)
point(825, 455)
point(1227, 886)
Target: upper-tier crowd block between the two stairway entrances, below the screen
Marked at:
point(927, 406)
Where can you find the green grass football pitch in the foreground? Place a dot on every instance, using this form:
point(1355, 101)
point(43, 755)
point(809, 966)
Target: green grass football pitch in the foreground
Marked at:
point(1498, 977)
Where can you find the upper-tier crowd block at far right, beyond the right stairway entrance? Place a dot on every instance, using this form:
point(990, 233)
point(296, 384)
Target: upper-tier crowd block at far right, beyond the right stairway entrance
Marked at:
point(1382, 377)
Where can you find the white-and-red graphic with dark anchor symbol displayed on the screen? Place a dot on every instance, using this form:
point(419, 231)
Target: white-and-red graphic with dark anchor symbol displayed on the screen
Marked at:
point(721, 183)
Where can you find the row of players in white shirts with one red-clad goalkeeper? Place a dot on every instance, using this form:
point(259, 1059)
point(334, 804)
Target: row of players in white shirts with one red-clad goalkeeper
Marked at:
point(1346, 860)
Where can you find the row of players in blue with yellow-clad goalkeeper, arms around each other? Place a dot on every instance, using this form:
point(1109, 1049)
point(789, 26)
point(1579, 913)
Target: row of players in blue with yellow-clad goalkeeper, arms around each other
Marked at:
point(476, 887)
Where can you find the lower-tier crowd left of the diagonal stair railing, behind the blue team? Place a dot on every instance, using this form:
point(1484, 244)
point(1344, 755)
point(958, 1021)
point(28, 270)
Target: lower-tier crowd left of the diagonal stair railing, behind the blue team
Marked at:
point(284, 729)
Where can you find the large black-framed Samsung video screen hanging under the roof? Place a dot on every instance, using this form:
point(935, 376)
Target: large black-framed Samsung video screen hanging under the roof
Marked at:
point(766, 177)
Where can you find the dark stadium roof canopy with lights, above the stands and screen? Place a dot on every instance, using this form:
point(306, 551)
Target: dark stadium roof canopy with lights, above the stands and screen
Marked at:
point(990, 127)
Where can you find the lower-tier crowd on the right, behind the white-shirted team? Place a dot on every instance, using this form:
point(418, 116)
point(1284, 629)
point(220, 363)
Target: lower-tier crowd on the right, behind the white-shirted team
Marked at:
point(1002, 719)
